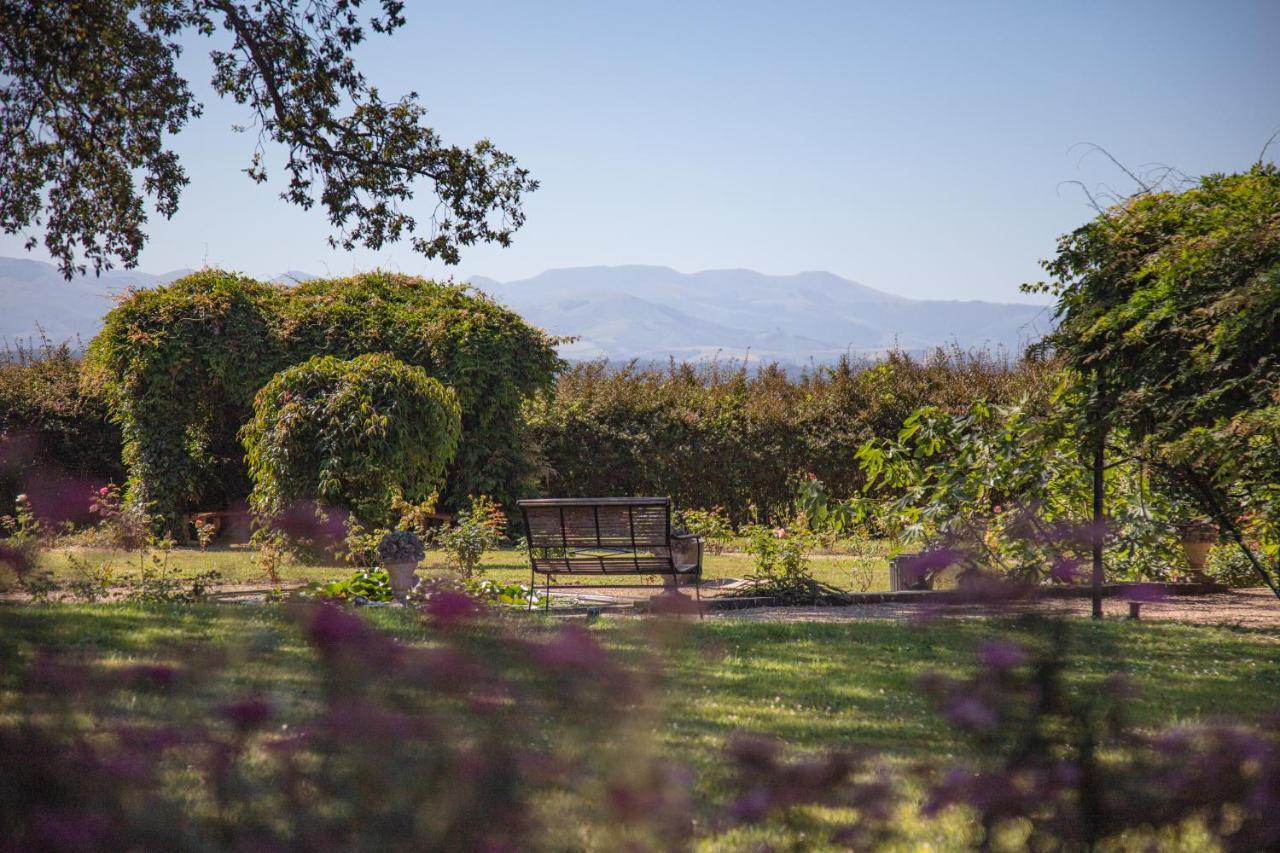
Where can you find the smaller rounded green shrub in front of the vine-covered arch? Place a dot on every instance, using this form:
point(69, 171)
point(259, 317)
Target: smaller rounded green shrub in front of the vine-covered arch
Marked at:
point(350, 434)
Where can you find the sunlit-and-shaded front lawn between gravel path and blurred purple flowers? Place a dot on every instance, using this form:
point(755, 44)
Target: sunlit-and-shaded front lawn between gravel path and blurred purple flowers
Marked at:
point(813, 686)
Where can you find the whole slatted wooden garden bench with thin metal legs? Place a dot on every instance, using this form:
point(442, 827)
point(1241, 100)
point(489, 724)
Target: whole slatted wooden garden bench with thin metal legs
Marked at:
point(625, 536)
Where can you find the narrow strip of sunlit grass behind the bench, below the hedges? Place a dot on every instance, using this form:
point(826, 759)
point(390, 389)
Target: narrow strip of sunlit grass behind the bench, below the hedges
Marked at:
point(236, 564)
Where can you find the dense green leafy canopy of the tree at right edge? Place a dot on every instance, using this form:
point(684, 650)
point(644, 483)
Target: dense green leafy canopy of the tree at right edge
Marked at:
point(1169, 316)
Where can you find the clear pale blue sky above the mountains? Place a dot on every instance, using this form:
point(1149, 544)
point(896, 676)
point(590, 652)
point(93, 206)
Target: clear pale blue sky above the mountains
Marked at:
point(920, 148)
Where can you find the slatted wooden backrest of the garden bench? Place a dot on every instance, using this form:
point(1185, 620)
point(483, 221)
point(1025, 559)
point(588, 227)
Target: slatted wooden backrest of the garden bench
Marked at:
point(600, 536)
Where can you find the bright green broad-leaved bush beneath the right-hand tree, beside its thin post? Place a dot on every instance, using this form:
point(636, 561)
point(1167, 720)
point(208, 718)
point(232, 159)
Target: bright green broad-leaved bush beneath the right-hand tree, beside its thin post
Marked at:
point(1007, 489)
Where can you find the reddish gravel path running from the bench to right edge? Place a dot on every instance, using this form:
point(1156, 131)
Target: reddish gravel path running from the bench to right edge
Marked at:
point(1252, 609)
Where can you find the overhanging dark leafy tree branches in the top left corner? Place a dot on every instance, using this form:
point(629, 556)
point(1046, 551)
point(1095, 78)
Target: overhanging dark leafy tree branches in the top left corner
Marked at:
point(93, 94)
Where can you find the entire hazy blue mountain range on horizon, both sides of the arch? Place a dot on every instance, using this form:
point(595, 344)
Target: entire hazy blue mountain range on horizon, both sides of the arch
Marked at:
point(621, 313)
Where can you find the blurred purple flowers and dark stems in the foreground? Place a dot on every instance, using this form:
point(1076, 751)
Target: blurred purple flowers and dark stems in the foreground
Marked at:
point(496, 736)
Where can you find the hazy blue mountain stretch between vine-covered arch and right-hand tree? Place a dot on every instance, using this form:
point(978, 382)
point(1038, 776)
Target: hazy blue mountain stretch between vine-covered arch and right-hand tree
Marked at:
point(655, 312)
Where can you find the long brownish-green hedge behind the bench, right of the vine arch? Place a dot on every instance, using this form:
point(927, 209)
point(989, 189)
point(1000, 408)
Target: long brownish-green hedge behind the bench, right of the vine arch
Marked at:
point(735, 437)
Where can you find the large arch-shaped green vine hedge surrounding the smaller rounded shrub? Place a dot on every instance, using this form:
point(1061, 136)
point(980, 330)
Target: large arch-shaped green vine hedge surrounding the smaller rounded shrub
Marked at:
point(181, 367)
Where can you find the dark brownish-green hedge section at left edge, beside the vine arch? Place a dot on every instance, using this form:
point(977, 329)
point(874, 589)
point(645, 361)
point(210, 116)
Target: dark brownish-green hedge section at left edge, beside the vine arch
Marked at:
point(53, 432)
